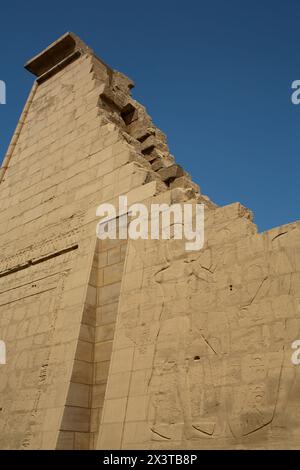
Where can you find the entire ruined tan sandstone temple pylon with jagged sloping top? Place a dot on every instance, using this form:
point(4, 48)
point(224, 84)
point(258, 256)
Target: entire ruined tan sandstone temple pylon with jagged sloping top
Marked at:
point(133, 344)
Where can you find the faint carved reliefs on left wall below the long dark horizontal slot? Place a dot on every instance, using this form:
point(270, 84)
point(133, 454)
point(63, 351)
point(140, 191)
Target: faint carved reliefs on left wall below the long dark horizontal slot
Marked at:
point(22, 300)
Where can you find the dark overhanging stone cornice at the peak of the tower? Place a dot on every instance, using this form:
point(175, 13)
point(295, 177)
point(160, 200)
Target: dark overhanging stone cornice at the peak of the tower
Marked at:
point(66, 48)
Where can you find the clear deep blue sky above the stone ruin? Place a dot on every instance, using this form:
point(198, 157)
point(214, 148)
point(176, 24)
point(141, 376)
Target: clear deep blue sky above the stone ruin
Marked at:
point(215, 76)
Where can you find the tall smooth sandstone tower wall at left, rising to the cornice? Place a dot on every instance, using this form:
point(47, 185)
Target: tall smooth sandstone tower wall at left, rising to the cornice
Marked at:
point(66, 158)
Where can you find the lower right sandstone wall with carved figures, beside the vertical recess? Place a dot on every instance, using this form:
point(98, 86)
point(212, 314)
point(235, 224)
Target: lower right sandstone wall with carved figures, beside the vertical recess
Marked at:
point(202, 350)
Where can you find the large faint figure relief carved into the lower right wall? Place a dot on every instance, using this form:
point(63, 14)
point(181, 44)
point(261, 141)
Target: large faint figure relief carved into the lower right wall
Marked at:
point(211, 377)
